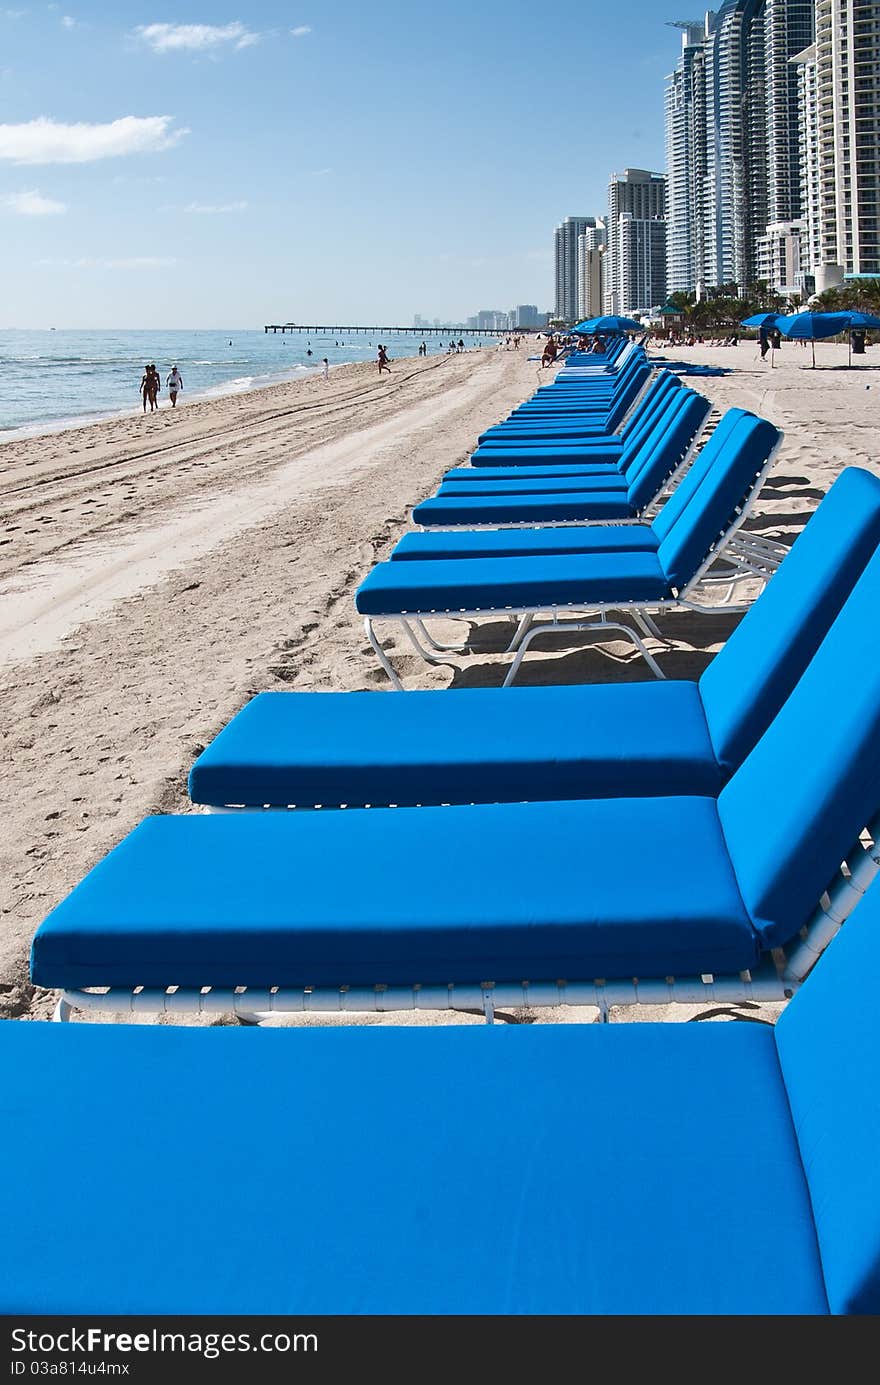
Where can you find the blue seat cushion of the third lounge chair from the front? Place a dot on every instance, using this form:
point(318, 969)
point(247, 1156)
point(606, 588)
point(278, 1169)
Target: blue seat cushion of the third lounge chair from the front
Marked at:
point(476, 746)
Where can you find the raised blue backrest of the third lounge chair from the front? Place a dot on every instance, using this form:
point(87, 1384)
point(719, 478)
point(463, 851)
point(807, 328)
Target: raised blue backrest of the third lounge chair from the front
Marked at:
point(749, 681)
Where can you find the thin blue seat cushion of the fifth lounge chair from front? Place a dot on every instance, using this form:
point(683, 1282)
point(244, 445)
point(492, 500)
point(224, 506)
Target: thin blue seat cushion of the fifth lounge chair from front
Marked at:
point(500, 544)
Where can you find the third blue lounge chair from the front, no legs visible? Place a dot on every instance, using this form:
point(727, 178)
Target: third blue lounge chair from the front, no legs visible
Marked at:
point(482, 746)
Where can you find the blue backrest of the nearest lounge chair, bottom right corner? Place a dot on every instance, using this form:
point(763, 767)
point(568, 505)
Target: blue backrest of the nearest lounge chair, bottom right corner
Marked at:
point(829, 1051)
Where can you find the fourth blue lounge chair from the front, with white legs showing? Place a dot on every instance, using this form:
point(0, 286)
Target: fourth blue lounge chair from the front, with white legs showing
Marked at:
point(703, 515)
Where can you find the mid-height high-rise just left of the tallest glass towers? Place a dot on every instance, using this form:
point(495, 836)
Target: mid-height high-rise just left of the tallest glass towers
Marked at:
point(637, 257)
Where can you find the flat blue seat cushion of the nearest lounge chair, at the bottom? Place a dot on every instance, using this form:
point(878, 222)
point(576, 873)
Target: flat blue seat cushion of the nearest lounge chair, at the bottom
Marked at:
point(490, 1170)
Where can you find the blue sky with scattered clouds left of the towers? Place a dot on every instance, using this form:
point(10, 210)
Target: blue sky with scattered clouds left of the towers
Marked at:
point(224, 166)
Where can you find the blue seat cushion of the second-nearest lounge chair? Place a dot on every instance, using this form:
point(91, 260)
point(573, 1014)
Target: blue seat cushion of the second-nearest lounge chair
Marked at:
point(567, 890)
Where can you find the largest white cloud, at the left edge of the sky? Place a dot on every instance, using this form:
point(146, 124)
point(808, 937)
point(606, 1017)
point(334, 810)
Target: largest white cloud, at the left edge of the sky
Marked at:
point(51, 142)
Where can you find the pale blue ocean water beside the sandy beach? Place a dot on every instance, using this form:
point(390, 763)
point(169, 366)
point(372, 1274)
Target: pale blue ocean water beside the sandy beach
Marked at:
point(59, 379)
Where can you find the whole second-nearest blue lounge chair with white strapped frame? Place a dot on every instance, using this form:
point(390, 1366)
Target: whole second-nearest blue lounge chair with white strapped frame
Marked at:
point(732, 897)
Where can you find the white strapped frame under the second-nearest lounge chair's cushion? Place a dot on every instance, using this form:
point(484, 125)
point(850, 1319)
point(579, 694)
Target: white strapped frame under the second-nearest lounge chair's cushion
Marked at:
point(777, 979)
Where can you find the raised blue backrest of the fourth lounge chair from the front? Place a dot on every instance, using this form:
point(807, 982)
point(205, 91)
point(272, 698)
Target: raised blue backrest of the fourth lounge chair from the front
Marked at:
point(727, 473)
